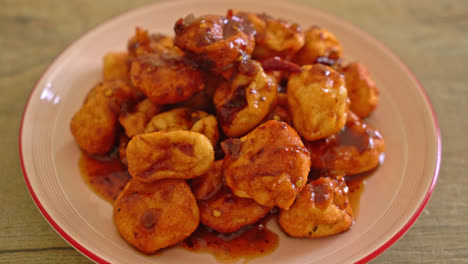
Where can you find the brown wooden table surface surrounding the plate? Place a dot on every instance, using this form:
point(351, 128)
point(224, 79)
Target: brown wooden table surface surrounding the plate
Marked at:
point(431, 37)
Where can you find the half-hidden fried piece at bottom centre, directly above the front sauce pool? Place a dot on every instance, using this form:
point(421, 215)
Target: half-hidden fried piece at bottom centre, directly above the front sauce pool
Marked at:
point(225, 212)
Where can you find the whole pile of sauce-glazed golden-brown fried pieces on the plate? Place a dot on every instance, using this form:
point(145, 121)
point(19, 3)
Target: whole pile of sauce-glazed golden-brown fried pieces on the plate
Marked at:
point(228, 120)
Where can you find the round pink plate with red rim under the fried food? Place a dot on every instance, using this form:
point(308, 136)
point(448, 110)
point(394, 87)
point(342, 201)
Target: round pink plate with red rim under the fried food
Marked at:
point(393, 197)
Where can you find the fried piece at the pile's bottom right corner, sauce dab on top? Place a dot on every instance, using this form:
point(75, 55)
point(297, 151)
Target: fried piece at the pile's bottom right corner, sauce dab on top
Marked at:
point(321, 209)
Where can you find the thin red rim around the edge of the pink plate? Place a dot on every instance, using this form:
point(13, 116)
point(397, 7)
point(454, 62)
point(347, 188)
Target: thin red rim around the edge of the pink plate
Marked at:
point(366, 259)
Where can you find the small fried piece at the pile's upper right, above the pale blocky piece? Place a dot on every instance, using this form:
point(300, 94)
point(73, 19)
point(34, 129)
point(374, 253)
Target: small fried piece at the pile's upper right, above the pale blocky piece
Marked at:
point(319, 44)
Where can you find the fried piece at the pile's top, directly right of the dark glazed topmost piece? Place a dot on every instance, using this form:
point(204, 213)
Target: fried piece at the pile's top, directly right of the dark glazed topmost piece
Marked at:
point(274, 37)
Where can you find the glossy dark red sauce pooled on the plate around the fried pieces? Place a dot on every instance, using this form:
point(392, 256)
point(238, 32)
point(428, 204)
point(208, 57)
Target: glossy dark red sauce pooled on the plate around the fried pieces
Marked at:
point(244, 244)
